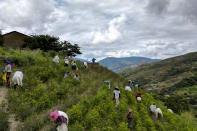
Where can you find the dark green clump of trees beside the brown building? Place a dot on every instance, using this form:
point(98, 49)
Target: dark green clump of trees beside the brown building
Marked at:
point(47, 42)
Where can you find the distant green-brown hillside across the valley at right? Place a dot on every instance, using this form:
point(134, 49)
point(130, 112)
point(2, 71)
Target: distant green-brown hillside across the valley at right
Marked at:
point(176, 75)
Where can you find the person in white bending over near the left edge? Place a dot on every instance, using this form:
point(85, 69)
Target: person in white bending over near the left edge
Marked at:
point(17, 79)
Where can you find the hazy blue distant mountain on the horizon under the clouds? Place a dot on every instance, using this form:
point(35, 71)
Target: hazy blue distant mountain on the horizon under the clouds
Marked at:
point(118, 64)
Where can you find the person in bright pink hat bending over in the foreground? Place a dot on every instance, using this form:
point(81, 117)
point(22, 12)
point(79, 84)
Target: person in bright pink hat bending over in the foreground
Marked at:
point(61, 119)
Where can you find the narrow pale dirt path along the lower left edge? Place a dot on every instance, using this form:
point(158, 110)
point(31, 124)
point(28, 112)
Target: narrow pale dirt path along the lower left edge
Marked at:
point(3, 98)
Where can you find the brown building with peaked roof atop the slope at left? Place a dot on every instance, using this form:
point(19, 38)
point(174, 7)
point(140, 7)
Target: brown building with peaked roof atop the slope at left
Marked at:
point(14, 39)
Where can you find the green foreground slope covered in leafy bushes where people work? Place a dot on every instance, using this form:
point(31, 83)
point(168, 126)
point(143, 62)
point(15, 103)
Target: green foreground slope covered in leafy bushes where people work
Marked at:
point(88, 102)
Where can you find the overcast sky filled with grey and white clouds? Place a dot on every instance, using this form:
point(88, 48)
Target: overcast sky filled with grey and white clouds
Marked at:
point(103, 28)
